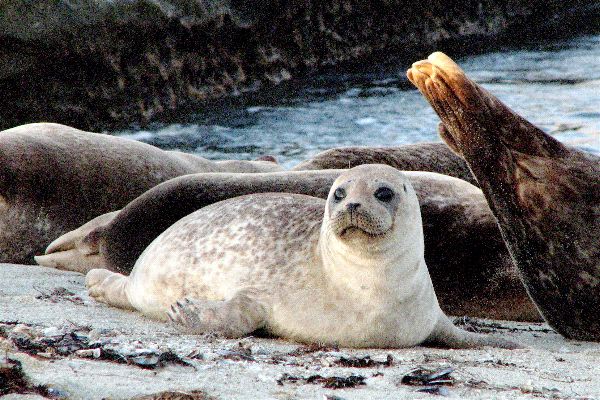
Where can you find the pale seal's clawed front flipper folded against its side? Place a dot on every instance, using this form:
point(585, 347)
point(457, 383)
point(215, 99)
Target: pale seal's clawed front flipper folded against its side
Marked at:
point(233, 318)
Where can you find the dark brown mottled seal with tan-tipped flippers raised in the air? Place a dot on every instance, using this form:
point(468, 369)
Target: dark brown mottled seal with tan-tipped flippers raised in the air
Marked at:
point(545, 195)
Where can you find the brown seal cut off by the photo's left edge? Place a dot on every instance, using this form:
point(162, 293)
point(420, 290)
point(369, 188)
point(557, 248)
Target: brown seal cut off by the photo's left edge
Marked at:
point(54, 178)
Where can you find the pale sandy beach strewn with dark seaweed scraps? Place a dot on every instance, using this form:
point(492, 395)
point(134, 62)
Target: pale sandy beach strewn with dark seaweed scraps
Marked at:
point(62, 344)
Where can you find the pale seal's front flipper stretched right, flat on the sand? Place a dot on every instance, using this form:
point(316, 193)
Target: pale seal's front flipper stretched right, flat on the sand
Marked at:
point(445, 334)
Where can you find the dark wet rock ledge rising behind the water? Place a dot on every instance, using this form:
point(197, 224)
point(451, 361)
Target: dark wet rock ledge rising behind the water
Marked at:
point(111, 63)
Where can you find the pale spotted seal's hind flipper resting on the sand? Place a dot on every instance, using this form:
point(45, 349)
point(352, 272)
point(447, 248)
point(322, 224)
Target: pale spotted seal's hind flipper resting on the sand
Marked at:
point(108, 287)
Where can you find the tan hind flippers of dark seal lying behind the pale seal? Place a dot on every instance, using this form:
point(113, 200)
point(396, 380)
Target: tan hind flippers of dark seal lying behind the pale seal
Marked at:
point(78, 250)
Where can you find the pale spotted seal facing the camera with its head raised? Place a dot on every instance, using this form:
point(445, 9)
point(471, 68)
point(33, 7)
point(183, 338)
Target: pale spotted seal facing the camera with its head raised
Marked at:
point(353, 276)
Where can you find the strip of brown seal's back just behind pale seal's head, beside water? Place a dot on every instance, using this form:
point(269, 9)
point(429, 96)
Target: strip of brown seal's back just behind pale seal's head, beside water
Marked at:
point(432, 157)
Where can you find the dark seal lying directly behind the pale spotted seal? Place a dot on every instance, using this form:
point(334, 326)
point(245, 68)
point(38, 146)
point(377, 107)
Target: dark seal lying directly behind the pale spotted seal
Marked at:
point(463, 246)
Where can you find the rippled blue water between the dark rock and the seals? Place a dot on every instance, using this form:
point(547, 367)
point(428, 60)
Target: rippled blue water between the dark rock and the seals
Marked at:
point(555, 85)
